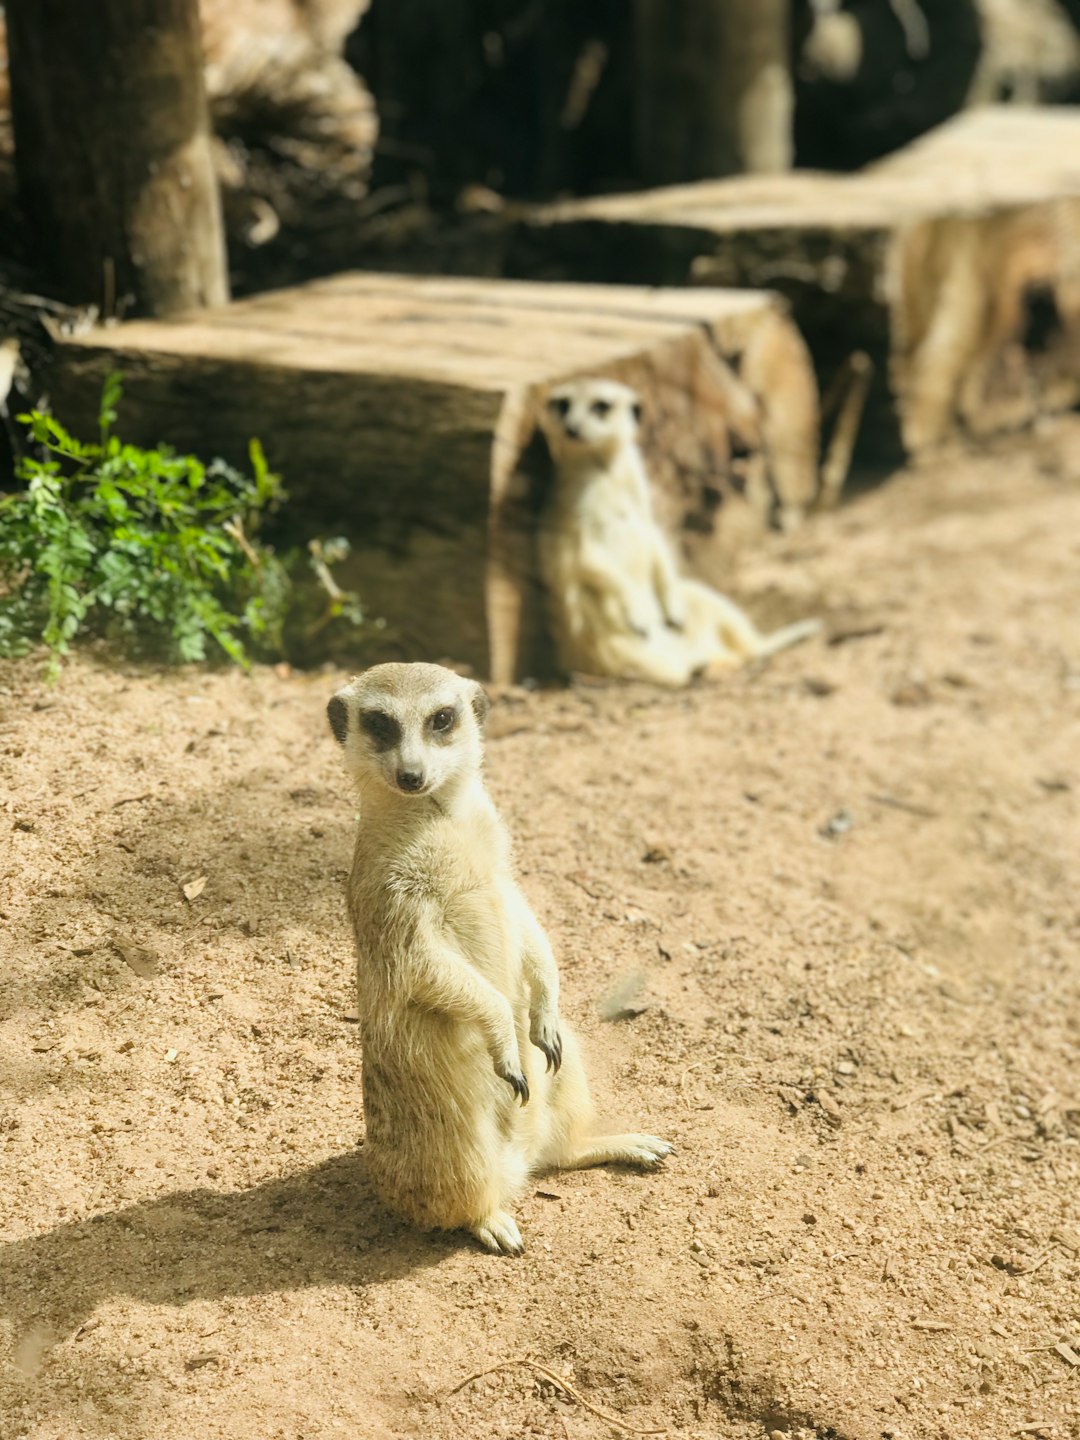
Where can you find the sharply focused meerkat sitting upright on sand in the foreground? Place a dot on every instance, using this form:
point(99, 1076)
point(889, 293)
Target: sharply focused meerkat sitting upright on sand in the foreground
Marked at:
point(472, 1079)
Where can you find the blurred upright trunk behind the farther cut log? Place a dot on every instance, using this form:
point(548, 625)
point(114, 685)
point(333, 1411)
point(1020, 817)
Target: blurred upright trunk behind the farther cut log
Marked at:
point(715, 90)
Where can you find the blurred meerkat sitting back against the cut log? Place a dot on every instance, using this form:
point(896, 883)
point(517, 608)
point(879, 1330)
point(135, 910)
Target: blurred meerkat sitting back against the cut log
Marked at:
point(618, 606)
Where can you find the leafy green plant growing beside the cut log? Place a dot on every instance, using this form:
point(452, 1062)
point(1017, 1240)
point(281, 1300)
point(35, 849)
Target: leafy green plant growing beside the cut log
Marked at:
point(143, 546)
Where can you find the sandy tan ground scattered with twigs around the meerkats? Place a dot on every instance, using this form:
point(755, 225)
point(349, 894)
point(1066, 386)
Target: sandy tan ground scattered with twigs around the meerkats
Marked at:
point(845, 888)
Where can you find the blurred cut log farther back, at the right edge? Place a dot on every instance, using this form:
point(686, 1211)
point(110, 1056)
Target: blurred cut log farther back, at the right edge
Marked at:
point(954, 267)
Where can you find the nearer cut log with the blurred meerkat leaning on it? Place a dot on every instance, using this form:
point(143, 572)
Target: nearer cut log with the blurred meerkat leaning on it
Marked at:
point(402, 414)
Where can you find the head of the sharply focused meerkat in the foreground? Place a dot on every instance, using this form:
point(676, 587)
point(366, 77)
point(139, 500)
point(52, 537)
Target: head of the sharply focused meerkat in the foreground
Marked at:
point(413, 728)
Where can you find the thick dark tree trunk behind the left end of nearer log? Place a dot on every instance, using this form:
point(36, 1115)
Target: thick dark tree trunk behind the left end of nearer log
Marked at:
point(113, 150)
